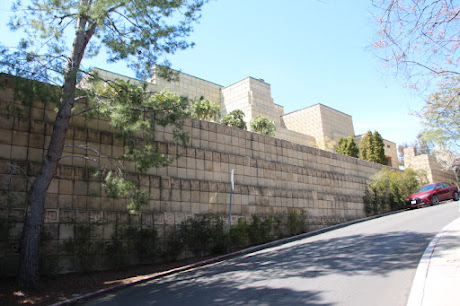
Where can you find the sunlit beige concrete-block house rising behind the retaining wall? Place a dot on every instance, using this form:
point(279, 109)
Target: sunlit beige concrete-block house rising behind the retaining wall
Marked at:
point(316, 125)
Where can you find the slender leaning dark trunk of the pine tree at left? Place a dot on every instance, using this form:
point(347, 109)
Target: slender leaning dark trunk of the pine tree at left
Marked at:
point(28, 270)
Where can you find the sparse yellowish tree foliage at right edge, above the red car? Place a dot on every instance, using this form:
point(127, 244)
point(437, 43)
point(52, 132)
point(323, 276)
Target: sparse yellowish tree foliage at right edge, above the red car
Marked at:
point(441, 115)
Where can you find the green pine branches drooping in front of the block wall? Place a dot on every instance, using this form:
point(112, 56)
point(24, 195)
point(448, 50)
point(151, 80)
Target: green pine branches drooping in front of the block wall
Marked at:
point(136, 113)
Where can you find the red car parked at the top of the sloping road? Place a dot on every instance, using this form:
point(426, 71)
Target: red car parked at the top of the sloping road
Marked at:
point(432, 194)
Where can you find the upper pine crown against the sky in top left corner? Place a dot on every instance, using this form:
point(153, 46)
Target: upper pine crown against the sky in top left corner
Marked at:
point(142, 32)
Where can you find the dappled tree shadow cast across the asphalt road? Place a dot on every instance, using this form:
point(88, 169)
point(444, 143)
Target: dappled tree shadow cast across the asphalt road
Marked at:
point(283, 275)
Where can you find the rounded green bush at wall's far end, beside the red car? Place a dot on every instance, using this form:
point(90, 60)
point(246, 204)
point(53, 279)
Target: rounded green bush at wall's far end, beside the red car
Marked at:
point(388, 190)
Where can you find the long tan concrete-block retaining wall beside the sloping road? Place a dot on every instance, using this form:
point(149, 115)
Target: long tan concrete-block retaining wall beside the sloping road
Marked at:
point(272, 176)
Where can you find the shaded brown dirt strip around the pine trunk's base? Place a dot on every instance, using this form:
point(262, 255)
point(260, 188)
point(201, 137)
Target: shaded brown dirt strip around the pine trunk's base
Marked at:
point(62, 287)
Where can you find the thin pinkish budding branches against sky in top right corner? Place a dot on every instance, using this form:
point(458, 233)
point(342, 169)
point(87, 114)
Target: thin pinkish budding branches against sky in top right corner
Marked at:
point(419, 36)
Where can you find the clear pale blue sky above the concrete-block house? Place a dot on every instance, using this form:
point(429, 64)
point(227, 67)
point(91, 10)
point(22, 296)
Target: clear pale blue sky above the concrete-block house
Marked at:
point(309, 51)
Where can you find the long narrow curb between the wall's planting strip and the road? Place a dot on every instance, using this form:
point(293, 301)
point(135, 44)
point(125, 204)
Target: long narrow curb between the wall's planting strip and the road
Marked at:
point(253, 249)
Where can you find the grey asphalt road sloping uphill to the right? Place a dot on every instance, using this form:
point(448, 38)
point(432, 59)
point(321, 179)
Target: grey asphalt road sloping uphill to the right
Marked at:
point(369, 263)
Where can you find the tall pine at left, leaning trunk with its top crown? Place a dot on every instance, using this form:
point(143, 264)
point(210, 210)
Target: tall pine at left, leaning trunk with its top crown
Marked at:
point(139, 31)
